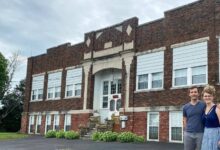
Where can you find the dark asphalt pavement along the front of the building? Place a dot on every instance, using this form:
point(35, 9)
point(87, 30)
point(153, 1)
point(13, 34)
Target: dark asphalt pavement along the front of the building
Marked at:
point(41, 143)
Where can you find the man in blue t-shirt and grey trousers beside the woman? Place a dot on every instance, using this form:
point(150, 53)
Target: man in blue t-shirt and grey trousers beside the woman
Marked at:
point(192, 121)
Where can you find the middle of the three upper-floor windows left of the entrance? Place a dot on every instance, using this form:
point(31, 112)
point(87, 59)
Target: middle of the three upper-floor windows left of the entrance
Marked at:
point(54, 85)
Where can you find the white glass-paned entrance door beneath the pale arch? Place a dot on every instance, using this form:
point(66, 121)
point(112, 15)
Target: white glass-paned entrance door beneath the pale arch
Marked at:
point(110, 99)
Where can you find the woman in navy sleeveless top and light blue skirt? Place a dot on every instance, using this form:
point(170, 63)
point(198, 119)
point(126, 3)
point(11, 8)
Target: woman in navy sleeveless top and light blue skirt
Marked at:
point(211, 119)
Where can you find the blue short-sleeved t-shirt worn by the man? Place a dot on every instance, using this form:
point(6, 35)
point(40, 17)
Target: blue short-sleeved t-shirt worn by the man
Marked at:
point(193, 114)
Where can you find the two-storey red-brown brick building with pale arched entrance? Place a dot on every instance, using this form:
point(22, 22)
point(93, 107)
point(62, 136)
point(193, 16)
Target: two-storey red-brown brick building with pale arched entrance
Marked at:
point(139, 71)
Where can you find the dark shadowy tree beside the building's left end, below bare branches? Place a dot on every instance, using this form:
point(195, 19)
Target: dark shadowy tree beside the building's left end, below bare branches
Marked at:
point(12, 108)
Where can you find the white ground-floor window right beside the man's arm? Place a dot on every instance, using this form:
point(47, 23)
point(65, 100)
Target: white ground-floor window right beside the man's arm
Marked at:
point(176, 126)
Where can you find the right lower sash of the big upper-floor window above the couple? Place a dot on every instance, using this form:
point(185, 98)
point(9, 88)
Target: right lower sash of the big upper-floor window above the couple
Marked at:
point(199, 75)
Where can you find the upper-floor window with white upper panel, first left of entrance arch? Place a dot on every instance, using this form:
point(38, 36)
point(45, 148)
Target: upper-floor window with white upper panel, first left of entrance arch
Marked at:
point(74, 82)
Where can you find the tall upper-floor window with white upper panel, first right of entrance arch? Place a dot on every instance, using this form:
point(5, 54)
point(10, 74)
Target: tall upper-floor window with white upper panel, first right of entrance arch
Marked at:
point(150, 71)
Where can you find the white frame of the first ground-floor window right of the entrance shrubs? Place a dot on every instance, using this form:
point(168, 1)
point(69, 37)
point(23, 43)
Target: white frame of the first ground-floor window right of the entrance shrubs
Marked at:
point(148, 126)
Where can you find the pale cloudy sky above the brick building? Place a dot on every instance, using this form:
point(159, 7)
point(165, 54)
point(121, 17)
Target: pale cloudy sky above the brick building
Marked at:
point(30, 27)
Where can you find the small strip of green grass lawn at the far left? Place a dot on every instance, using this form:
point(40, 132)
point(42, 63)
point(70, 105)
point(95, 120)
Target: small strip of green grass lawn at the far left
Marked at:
point(11, 135)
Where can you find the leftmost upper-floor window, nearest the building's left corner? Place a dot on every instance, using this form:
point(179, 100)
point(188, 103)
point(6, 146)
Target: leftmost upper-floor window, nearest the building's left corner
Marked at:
point(37, 88)
